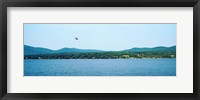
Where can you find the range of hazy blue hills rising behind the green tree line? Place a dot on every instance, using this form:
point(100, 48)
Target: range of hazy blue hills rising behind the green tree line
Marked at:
point(28, 50)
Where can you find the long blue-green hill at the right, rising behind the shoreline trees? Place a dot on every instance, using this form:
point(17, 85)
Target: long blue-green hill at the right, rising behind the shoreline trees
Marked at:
point(172, 48)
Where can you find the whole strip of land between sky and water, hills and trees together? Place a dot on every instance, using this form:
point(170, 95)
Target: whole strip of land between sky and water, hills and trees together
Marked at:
point(74, 53)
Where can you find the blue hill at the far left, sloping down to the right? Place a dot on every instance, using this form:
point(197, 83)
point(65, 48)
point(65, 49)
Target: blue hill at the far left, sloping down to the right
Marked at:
point(28, 50)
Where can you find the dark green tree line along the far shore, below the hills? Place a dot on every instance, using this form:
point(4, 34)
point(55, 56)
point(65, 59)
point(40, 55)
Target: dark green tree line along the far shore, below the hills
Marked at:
point(105, 55)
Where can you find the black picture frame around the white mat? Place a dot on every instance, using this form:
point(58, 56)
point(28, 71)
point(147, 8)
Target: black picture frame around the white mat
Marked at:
point(99, 3)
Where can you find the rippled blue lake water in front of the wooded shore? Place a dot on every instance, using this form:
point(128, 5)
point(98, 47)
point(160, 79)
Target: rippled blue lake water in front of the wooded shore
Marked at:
point(100, 67)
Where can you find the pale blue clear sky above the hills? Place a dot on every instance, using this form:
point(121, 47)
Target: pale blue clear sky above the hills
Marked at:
point(99, 36)
